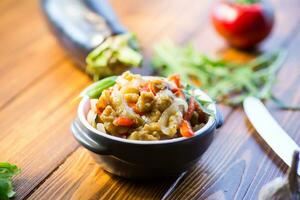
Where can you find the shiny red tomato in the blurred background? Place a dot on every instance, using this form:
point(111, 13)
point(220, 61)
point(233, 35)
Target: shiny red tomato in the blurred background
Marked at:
point(243, 25)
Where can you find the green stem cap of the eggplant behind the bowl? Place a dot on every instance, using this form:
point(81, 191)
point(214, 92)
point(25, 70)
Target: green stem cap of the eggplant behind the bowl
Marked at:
point(113, 56)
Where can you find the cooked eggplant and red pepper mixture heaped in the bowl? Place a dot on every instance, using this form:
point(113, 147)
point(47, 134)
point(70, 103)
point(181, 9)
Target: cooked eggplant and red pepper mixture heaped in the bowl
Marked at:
point(139, 107)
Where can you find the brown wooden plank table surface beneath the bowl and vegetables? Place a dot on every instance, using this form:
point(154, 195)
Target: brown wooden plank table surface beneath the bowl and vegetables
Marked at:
point(38, 82)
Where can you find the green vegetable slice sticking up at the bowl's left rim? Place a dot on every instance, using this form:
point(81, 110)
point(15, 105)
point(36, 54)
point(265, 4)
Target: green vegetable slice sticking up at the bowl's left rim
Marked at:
point(99, 86)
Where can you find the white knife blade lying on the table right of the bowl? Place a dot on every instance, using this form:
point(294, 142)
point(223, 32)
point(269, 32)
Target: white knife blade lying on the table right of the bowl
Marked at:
point(269, 129)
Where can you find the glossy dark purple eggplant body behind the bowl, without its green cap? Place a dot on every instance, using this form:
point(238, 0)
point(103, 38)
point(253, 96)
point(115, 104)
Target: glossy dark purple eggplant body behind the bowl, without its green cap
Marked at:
point(81, 25)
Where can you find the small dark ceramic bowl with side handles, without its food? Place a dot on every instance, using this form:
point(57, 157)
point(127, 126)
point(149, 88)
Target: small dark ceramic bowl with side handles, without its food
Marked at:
point(144, 159)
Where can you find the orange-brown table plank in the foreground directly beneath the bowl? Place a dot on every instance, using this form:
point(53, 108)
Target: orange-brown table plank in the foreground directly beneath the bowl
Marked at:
point(71, 182)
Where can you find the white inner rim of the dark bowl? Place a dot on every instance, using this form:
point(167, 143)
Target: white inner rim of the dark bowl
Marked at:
point(82, 118)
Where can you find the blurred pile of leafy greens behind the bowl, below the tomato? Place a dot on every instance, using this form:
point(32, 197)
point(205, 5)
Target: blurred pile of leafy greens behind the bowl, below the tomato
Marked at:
point(226, 82)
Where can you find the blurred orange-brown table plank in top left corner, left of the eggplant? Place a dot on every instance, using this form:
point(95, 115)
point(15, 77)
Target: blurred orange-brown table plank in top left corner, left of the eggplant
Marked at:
point(26, 53)
